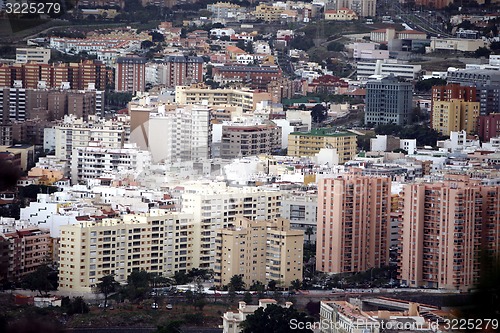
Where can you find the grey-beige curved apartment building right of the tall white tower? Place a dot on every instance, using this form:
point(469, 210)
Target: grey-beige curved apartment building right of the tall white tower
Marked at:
point(240, 139)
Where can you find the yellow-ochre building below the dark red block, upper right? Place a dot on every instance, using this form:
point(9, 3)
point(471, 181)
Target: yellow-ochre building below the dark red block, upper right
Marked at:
point(455, 115)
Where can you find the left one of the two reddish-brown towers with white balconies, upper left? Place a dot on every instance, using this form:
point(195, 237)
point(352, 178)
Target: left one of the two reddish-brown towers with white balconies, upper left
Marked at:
point(130, 74)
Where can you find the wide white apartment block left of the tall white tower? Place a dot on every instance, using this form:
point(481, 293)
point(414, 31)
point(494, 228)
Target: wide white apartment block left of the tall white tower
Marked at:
point(74, 132)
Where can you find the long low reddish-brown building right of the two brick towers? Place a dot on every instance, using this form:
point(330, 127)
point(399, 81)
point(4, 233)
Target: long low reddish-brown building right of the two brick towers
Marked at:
point(257, 77)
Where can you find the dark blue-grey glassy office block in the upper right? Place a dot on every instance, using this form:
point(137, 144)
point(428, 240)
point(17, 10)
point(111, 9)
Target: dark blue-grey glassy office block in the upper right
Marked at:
point(388, 101)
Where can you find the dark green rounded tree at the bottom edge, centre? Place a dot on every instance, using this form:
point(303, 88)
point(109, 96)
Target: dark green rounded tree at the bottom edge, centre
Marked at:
point(276, 319)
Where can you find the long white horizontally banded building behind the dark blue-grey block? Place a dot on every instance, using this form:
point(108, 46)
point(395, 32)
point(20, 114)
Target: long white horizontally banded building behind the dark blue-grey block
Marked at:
point(387, 67)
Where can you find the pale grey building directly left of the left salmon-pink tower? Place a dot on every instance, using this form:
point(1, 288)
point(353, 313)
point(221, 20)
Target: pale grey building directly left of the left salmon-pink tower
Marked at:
point(301, 208)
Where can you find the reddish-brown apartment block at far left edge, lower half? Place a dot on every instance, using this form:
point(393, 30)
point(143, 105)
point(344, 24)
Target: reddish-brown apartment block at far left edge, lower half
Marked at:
point(28, 249)
